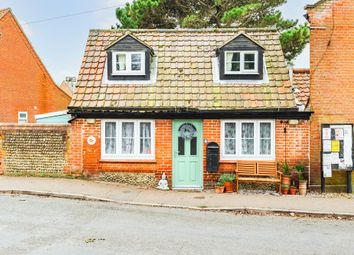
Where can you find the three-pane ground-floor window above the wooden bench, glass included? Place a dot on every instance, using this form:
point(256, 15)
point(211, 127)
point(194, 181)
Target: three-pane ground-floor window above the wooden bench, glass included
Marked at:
point(248, 139)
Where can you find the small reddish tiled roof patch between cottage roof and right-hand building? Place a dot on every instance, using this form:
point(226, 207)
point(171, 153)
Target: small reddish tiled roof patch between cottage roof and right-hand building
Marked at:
point(301, 83)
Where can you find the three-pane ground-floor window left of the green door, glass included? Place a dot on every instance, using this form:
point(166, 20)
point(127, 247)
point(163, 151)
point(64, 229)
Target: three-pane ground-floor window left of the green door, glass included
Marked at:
point(128, 139)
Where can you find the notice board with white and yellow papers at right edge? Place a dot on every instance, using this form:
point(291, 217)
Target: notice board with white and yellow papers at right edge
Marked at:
point(337, 148)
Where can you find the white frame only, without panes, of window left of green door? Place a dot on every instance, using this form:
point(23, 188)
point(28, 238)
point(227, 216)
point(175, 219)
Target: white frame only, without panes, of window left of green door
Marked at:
point(118, 155)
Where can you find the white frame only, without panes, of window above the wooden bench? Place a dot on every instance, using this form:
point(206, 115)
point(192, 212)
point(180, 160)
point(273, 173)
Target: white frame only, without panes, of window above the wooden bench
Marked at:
point(238, 155)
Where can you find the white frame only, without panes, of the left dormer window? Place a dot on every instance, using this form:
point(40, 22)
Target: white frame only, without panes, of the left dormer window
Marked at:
point(128, 58)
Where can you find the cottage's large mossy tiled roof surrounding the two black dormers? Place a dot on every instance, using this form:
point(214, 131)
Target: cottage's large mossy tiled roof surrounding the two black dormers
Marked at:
point(184, 79)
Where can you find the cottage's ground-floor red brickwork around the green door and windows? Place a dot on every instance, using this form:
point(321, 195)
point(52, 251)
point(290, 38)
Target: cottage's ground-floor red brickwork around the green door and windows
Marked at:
point(297, 149)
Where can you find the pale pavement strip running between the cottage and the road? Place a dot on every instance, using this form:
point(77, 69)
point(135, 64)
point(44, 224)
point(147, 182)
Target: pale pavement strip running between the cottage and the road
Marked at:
point(341, 205)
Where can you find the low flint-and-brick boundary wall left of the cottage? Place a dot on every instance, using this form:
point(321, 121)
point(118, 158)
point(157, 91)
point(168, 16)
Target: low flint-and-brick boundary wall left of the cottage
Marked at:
point(33, 149)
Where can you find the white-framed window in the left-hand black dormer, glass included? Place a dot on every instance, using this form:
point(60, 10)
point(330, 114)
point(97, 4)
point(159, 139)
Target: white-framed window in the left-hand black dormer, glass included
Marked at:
point(128, 63)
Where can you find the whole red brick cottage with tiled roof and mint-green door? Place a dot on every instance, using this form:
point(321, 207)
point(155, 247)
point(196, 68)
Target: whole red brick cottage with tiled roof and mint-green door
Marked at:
point(149, 101)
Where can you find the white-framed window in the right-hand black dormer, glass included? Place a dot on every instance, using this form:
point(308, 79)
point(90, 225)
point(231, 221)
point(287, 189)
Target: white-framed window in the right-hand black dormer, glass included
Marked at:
point(241, 62)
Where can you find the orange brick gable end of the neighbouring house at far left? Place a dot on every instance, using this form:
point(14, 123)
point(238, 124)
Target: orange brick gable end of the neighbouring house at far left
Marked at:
point(26, 87)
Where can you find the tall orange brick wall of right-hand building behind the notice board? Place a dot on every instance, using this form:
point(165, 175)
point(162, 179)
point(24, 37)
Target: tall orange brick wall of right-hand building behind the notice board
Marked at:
point(332, 73)
